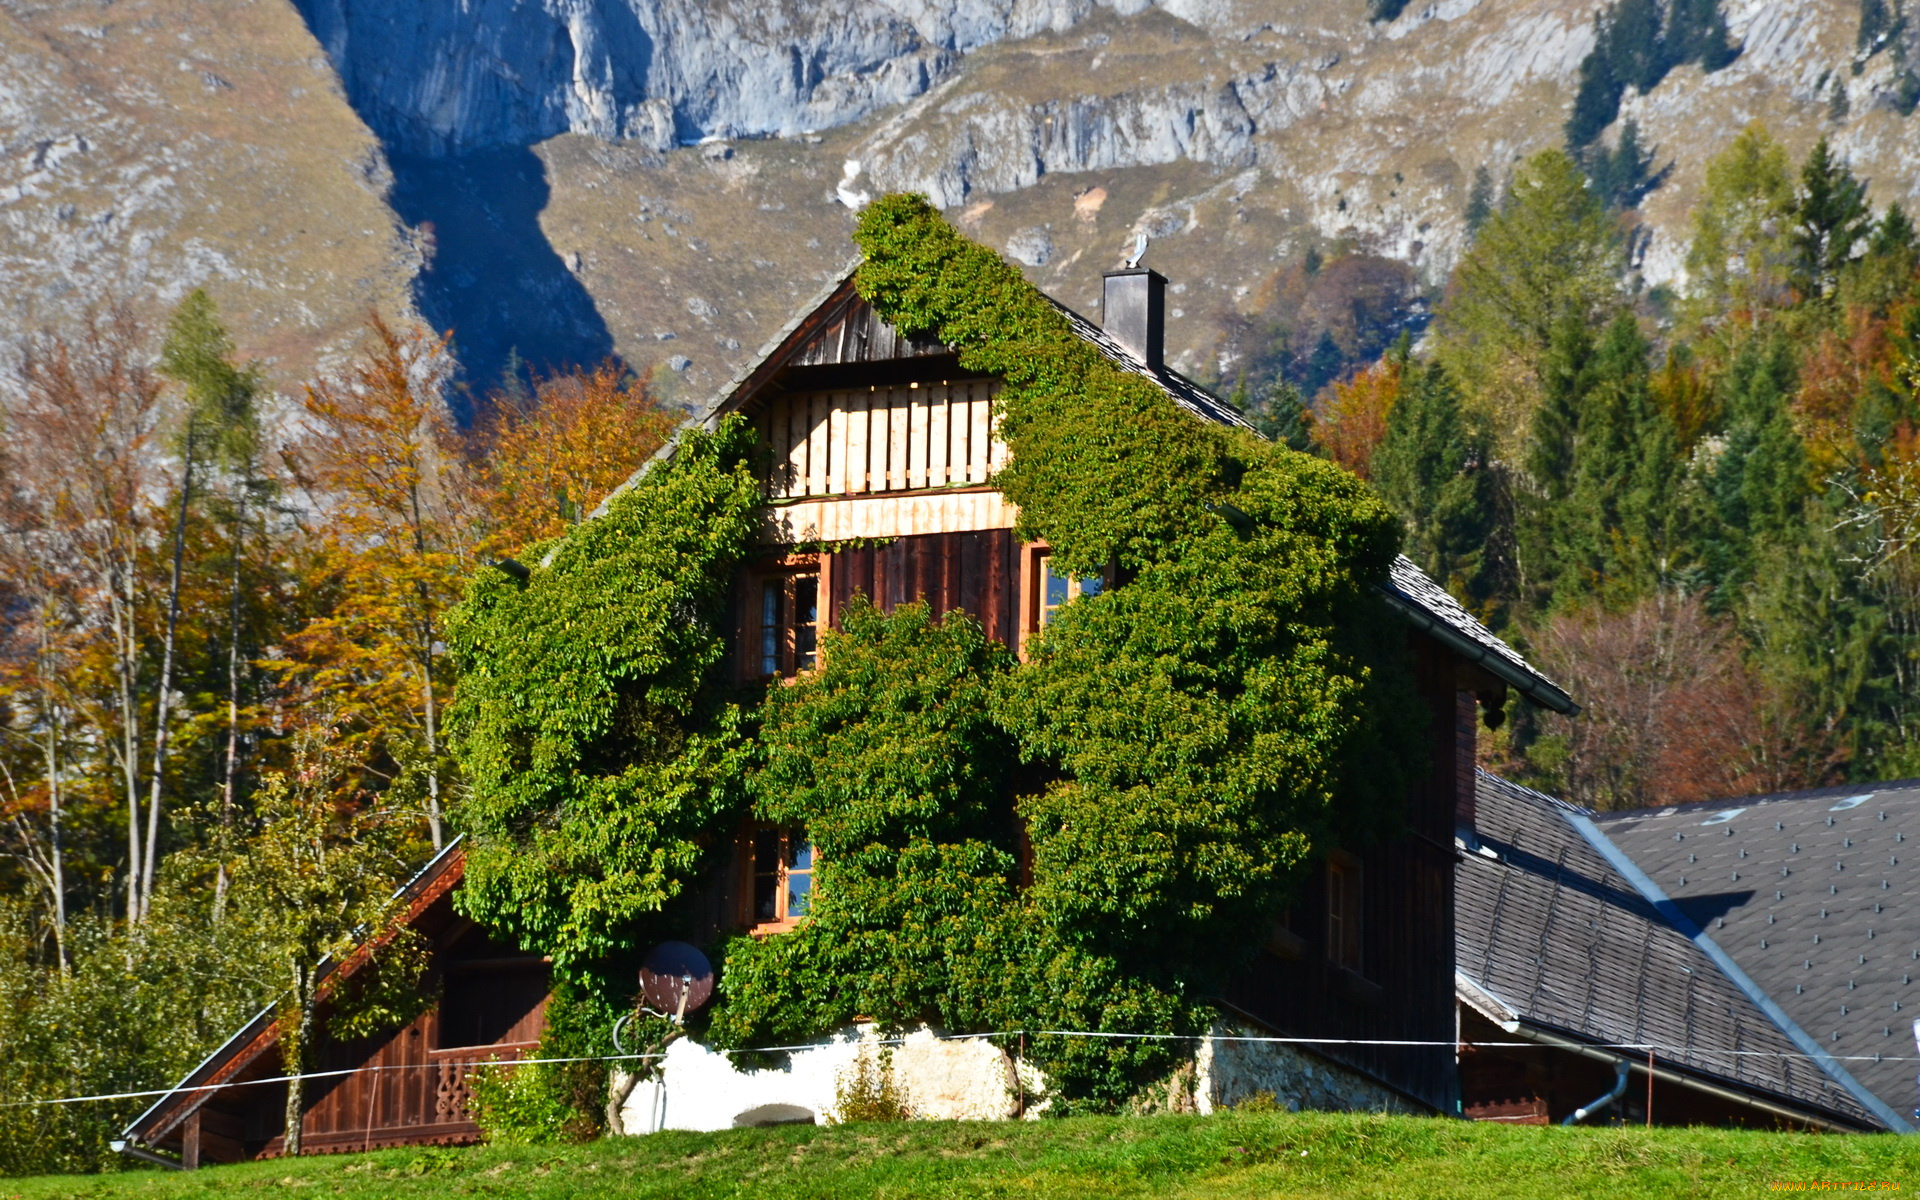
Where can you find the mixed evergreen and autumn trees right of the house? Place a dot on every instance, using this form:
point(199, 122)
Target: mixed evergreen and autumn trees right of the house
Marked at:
point(1694, 510)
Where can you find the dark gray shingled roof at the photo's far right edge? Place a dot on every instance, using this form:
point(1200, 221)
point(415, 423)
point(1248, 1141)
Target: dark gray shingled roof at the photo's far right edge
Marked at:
point(1815, 896)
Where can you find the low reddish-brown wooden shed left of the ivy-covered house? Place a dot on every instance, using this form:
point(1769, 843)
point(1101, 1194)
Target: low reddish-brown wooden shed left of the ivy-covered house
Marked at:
point(402, 1090)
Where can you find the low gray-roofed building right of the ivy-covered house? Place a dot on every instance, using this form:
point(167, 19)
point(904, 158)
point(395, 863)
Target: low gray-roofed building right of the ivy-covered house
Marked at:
point(1572, 963)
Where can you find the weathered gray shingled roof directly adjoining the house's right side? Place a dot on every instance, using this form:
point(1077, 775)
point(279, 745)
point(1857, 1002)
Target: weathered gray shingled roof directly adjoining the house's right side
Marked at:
point(1552, 930)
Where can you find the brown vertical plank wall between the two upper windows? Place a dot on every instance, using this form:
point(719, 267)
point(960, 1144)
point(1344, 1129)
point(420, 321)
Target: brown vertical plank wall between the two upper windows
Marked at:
point(978, 573)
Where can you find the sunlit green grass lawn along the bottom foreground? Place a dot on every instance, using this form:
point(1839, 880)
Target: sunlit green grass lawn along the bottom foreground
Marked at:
point(1224, 1157)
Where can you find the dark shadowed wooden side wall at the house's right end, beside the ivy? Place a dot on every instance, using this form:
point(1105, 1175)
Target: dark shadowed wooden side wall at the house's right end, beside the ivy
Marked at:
point(1406, 932)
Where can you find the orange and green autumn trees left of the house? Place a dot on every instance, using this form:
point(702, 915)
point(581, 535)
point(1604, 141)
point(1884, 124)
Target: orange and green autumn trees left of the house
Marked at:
point(222, 679)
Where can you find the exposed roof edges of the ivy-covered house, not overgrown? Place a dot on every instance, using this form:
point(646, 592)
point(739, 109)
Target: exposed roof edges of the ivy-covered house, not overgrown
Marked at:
point(840, 327)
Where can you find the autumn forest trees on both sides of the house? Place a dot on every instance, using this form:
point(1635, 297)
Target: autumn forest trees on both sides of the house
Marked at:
point(222, 665)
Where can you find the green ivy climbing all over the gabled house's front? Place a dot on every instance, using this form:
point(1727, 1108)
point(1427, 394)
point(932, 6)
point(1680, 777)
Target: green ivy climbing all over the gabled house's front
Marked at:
point(1176, 750)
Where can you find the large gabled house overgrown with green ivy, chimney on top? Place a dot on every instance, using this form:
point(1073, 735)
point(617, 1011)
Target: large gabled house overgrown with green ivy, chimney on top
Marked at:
point(1197, 754)
